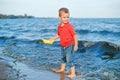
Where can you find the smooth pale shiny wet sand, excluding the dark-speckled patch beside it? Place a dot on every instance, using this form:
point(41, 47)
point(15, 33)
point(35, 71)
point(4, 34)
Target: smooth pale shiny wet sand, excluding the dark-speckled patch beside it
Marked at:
point(39, 74)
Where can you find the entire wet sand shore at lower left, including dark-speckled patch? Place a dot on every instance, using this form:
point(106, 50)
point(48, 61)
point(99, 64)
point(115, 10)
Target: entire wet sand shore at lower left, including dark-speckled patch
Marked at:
point(24, 72)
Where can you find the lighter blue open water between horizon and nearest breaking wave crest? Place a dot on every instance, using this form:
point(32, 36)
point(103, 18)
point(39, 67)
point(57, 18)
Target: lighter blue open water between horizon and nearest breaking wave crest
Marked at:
point(87, 29)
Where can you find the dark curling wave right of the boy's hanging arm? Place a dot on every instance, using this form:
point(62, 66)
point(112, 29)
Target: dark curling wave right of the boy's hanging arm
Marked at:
point(103, 49)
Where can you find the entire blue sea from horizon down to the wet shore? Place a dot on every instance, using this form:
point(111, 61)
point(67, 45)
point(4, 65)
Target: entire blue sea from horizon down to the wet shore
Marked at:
point(99, 44)
